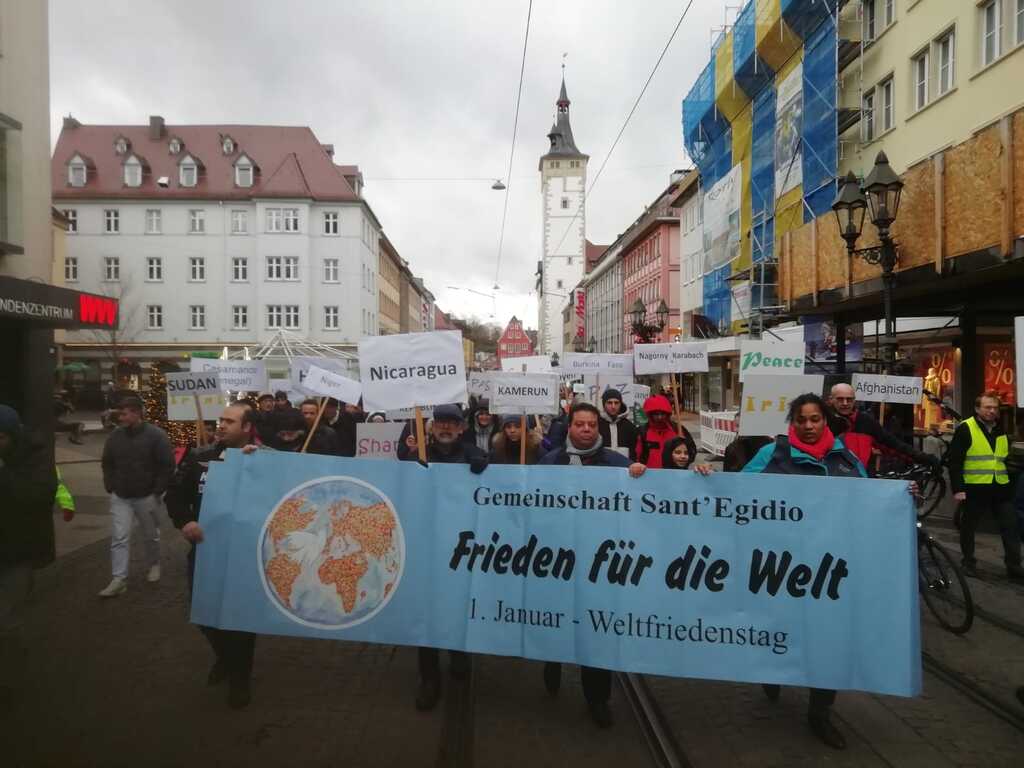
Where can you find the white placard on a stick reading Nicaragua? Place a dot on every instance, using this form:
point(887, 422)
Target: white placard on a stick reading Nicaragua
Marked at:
point(407, 370)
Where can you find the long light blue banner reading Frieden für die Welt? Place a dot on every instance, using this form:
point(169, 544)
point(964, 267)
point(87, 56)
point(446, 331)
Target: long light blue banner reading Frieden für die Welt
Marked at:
point(799, 581)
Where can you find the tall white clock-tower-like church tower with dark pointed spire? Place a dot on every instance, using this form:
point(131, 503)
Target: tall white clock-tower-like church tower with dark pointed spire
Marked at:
point(564, 186)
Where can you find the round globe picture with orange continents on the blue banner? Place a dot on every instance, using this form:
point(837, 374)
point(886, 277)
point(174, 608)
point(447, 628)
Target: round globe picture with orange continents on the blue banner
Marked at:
point(332, 553)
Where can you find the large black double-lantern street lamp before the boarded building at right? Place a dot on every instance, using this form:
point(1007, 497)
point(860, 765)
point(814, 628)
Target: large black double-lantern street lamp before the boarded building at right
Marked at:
point(880, 196)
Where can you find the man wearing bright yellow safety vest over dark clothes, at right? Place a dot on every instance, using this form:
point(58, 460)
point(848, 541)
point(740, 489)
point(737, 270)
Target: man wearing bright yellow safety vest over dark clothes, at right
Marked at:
point(978, 476)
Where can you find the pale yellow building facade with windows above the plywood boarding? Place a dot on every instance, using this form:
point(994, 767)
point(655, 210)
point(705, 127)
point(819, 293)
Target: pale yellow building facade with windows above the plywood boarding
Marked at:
point(931, 74)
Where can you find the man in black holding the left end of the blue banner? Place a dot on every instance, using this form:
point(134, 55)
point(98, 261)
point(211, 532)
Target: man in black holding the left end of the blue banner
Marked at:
point(233, 651)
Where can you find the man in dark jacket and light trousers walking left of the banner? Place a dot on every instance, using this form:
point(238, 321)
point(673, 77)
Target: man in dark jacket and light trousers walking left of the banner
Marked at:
point(138, 465)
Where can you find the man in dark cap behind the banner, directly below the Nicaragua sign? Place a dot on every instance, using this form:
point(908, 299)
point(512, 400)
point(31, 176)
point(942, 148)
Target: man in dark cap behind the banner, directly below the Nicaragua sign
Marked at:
point(444, 447)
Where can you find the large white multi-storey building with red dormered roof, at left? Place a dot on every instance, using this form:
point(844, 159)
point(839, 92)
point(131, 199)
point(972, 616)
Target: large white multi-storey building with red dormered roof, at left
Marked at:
point(229, 257)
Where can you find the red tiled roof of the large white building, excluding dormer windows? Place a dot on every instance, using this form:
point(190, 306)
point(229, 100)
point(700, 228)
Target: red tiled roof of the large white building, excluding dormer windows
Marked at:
point(291, 163)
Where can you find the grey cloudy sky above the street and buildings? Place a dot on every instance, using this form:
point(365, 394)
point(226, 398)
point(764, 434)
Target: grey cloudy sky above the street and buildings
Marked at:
point(421, 96)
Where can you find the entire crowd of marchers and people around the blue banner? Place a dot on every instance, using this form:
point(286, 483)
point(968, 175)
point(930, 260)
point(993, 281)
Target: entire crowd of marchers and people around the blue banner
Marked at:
point(147, 478)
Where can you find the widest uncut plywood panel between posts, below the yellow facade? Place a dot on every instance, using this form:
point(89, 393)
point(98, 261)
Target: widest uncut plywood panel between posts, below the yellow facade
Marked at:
point(974, 197)
